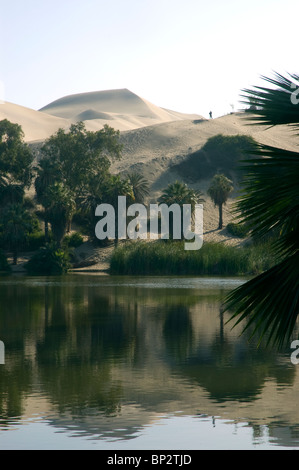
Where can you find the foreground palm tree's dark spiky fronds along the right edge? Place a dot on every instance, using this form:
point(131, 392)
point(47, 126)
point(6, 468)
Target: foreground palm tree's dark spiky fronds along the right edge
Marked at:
point(270, 200)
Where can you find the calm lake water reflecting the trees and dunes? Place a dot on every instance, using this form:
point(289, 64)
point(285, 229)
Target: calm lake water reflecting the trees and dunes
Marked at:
point(99, 362)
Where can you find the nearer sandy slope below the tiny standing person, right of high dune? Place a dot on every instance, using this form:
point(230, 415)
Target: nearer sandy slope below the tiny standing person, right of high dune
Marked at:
point(154, 150)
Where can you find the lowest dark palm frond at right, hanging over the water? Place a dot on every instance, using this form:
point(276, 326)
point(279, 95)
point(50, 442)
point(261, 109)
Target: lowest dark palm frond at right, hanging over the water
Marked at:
point(269, 302)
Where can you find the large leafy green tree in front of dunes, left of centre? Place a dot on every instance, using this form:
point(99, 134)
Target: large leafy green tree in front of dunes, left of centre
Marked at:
point(80, 160)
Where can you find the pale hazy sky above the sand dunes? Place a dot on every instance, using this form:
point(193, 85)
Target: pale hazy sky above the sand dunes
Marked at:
point(187, 55)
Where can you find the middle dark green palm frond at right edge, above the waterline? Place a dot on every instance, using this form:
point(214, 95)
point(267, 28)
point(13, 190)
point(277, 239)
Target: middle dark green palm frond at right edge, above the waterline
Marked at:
point(270, 198)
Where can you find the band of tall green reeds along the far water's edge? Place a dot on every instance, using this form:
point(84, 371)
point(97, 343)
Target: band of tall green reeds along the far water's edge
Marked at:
point(169, 257)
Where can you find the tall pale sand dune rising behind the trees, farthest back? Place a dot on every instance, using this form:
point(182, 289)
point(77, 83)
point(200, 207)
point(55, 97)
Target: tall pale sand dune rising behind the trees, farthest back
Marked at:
point(121, 109)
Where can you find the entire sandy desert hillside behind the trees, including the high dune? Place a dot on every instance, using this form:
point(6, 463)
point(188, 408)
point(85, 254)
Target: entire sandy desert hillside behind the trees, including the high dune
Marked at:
point(155, 141)
